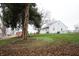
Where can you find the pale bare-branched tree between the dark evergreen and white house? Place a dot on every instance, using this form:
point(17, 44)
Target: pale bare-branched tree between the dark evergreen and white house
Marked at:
point(45, 15)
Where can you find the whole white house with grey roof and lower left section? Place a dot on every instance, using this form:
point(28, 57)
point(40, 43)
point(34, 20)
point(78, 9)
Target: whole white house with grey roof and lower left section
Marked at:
point(54, 27)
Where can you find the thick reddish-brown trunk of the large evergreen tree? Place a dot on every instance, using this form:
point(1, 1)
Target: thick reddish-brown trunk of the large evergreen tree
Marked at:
point(25, 22)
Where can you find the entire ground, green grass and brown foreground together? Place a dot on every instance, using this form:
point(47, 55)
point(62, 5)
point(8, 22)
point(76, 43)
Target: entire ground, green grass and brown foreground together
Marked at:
point(42, 44)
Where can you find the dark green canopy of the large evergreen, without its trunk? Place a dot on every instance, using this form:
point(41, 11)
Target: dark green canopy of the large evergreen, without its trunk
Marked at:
point(13, 14)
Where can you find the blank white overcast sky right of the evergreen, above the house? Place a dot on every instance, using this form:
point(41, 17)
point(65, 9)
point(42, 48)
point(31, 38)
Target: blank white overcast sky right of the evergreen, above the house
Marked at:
point(65, 10)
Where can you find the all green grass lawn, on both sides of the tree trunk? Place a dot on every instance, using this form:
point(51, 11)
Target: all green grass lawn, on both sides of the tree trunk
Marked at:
point(58, 39)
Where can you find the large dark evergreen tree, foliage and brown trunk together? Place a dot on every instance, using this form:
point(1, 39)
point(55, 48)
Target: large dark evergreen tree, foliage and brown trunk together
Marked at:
point(21, 14)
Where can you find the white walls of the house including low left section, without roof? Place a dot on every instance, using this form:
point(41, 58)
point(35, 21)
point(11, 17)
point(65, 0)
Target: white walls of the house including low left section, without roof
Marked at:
point(56, 27)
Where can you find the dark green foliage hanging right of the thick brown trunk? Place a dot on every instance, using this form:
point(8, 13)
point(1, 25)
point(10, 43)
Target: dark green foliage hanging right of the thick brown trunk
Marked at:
point(35, 18)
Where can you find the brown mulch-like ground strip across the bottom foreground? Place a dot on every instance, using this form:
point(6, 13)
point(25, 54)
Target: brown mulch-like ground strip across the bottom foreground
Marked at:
point(64, 50)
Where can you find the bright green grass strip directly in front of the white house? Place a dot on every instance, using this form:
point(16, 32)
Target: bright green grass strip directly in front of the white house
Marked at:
point(70, 37)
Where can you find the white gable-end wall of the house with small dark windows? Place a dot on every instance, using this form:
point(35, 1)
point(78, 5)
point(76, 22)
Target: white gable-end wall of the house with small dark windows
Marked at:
point(57, 27)
